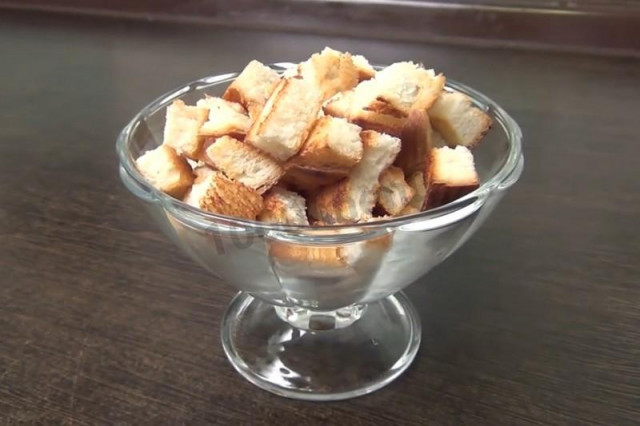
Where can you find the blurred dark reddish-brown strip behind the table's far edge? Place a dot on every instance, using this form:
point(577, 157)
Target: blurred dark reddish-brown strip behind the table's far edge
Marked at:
point(609, 26)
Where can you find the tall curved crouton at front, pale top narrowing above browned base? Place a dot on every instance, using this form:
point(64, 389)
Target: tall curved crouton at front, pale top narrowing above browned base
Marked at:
point(352, 199)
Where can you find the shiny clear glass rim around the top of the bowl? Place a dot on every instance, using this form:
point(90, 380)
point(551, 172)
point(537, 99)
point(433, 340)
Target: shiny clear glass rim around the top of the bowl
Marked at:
point(506, 176)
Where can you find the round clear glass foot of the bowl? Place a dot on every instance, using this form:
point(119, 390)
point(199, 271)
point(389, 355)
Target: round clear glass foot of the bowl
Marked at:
point(321, 356)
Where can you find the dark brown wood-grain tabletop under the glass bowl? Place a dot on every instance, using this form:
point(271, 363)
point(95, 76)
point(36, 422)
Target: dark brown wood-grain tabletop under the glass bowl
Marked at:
point(536, 320)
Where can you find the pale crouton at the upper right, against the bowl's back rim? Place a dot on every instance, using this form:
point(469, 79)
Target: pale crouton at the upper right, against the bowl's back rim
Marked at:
point(459, 122)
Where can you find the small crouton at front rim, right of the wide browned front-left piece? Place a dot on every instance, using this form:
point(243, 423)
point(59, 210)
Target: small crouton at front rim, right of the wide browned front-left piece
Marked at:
point(285, 207)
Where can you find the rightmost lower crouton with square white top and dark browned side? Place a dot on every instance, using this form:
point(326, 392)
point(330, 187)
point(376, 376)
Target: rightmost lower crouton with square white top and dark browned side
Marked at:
point(452, 174)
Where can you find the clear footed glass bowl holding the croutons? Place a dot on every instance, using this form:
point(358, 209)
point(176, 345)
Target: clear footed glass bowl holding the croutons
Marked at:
point(320, 314)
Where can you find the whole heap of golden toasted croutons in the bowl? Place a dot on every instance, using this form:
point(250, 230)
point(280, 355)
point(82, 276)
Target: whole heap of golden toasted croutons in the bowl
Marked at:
point(332, 141)
